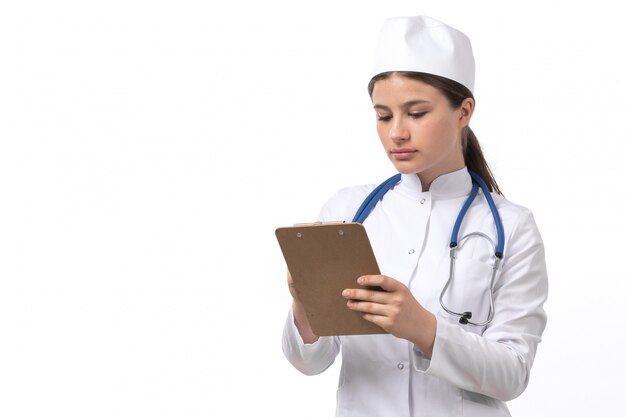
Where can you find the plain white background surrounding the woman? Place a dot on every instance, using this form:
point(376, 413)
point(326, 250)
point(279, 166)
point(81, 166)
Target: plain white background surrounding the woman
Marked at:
point(148, 150)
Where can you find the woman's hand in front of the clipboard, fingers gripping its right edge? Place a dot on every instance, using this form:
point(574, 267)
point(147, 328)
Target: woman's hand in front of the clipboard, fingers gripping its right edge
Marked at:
point(394, 309)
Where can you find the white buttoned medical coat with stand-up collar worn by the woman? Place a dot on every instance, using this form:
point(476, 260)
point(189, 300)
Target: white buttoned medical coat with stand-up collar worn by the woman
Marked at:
point(473, 370)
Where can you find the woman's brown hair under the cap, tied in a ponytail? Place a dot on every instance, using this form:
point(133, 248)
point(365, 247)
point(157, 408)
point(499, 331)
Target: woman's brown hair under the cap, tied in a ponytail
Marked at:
point(455, 93)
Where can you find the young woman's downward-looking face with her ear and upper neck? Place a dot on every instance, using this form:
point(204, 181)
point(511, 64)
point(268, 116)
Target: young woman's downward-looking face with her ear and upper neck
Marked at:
point(418, 128)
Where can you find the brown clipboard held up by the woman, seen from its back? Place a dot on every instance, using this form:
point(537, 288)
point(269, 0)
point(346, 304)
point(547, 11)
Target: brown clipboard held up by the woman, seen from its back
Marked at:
point(324, 259)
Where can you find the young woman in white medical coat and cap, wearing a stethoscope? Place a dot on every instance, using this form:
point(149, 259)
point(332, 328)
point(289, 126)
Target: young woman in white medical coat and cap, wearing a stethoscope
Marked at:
point(463, 299)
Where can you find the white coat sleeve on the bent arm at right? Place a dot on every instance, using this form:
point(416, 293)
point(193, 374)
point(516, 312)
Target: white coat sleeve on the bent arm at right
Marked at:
point(498, 362)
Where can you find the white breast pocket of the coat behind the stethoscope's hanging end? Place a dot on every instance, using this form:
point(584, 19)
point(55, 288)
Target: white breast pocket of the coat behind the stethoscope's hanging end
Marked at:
point(469, 291)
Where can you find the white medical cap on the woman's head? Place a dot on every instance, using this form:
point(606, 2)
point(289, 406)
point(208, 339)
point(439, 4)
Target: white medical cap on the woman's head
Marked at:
point(424, 44)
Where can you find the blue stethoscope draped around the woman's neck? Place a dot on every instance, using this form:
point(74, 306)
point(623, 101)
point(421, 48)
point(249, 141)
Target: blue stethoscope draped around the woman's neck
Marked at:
point(464, 318)
